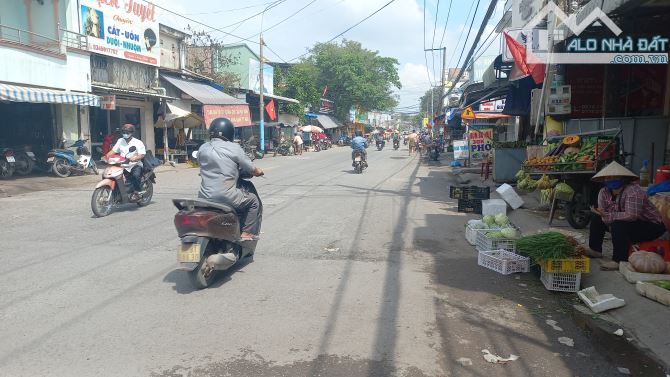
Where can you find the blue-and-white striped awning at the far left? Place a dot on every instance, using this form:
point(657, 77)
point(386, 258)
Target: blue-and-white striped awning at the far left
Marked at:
point(17, 93)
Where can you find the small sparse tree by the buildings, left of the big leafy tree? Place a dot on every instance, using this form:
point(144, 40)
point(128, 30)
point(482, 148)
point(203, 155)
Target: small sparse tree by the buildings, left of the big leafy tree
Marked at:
point(205, 57)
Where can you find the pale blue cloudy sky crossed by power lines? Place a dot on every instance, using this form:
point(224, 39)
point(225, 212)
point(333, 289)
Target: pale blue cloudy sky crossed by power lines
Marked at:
point(396, 31)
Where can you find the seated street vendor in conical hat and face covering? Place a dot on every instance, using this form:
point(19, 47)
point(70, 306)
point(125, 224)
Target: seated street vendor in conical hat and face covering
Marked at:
point(625, 211)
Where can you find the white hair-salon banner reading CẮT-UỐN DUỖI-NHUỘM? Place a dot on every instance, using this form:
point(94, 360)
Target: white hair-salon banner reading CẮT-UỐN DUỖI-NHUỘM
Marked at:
point(122, 29)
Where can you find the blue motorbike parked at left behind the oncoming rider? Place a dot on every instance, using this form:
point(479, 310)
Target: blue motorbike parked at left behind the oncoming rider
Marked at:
point(64, 162)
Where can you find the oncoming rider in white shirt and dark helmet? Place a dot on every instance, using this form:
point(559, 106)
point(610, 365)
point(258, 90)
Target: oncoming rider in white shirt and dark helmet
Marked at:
point(132, 172)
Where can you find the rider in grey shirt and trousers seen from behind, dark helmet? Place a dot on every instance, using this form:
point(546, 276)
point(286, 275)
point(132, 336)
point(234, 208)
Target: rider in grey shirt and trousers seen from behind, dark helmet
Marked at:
point(221, 163)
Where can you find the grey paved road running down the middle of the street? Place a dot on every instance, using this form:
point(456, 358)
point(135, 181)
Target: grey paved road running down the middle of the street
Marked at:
point(355, 275)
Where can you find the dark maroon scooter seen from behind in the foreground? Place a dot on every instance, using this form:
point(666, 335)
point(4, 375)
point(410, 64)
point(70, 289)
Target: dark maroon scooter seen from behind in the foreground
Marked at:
point(210, 237)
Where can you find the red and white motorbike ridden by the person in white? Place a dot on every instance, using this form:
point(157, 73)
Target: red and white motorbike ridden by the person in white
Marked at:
point(115, 190)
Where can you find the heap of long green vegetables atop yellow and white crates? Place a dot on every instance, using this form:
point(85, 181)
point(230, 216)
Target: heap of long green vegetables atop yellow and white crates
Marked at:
point(544, 246)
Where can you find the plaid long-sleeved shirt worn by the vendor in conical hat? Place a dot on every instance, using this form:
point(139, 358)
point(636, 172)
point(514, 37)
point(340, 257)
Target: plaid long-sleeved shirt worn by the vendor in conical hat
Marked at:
point(632, 204)
